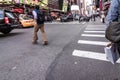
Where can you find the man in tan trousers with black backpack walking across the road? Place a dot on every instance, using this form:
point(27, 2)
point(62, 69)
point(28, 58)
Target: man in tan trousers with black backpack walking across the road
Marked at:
point(39, 19)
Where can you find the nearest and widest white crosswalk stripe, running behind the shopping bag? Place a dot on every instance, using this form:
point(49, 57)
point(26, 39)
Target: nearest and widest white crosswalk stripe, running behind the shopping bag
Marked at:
point(91, 55)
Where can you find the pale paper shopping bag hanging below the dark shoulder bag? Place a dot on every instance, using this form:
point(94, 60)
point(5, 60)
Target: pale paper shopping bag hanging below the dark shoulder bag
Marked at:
point(112, 53)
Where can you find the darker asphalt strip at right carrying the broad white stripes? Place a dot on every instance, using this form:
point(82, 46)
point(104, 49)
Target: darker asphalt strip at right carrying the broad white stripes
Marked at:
point(84, 58)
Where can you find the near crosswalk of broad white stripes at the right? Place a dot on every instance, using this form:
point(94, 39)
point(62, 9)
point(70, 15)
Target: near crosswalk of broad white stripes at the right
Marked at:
point(92, 31)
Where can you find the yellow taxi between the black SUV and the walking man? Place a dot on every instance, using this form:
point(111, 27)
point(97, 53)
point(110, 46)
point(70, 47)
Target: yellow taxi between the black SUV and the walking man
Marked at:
point(26, 21)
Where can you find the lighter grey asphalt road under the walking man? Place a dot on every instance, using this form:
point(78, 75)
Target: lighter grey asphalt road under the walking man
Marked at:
point(21, 60)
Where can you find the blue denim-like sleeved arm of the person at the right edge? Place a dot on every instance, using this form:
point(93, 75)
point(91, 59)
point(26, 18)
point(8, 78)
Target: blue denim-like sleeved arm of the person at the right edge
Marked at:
point(113, 12)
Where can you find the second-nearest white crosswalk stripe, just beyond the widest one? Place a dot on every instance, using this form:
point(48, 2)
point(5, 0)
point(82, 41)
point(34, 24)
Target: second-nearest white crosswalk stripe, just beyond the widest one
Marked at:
point(92, 42)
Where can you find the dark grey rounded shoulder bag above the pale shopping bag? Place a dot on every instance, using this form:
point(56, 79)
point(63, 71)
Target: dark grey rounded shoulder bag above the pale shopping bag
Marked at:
point(112, 32)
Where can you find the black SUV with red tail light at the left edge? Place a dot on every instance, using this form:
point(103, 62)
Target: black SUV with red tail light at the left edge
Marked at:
point(8, 21)
